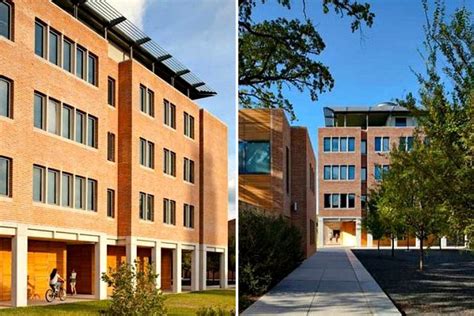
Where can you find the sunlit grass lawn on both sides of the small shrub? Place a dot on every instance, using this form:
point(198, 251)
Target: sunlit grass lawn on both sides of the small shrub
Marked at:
point(177, 304)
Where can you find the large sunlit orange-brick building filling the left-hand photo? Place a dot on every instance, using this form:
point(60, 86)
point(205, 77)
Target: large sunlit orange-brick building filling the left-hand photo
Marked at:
point(104, 155)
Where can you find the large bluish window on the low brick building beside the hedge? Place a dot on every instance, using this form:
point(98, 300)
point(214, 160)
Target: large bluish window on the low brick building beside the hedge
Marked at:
point(255, 157)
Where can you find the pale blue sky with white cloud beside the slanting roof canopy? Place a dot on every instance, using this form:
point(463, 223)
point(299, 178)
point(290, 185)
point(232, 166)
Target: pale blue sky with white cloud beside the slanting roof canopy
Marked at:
point(202, 35)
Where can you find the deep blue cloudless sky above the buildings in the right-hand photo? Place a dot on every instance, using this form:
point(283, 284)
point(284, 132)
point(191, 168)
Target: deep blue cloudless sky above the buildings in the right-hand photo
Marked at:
point(368, 67)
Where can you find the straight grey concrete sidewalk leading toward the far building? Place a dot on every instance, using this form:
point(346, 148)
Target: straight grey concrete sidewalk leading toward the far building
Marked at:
point(331, 282)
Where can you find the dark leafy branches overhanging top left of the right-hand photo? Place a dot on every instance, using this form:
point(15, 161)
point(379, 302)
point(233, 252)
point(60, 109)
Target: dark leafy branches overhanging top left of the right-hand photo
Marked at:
point(281, 53)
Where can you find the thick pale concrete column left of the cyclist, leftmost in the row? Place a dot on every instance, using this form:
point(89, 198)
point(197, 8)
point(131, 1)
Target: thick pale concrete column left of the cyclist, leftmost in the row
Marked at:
point(19, 277)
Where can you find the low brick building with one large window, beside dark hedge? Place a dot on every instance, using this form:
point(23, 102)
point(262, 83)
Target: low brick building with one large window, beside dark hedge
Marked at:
point(277, 169)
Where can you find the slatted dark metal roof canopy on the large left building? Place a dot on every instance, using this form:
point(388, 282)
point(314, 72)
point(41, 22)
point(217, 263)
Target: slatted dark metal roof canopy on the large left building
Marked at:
point(112, 20)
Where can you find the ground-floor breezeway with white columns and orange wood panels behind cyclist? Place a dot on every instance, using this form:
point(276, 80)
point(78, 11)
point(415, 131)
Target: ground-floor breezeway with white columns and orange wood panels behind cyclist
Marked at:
point(29, 253)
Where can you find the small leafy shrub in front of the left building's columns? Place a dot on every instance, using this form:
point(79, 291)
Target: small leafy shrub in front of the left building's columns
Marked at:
point(134, 292)
